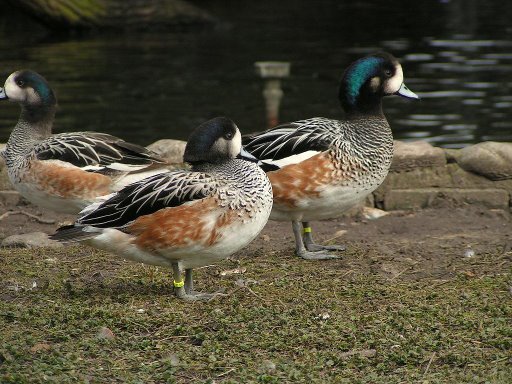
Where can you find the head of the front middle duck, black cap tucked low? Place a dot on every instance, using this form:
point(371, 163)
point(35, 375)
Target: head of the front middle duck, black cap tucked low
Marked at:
point(215, 141)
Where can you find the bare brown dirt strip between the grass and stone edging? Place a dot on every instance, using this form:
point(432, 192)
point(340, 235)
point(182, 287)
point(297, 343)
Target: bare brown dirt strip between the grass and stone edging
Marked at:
point(410, 245)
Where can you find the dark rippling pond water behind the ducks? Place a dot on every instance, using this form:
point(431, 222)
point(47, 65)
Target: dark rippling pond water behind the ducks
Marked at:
point(457, 55)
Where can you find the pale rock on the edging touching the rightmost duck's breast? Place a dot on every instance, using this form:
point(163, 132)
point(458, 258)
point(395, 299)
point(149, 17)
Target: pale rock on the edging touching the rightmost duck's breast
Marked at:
point(416, 154)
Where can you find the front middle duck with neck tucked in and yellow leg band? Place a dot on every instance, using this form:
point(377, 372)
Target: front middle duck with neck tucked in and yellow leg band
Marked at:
point(184, 219)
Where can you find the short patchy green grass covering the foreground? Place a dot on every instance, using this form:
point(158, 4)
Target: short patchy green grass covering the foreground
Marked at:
point(291, 321)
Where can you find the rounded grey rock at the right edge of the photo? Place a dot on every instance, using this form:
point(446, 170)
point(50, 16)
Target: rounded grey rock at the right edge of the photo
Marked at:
point(490, 159)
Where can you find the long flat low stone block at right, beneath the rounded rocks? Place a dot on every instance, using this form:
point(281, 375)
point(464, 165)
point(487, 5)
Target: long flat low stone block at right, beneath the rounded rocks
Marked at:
point(399, 199)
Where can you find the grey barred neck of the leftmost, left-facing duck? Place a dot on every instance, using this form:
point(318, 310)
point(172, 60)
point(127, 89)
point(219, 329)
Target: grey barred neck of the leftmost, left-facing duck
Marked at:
point(34, 124)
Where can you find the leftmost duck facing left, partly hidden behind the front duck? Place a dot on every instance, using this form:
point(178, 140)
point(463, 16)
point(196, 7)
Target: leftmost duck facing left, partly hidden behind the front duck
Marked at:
point(65, 172)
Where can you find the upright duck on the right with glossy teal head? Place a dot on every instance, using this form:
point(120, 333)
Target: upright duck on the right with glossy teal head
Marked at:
point(320, 167)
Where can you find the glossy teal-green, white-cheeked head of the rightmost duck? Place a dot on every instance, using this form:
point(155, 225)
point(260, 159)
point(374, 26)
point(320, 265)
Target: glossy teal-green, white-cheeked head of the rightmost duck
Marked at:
point(366, 81)
